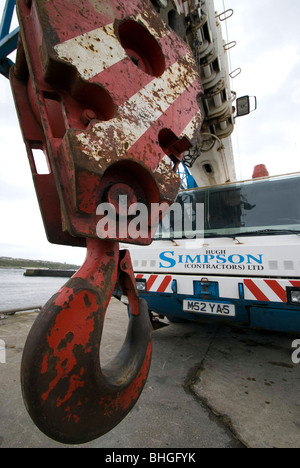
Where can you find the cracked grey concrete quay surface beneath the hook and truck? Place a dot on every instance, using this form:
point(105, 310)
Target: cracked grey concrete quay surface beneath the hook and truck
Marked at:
point(210, 385)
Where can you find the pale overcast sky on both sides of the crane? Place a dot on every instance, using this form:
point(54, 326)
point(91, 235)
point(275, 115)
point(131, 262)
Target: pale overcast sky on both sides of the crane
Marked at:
point(268, 52)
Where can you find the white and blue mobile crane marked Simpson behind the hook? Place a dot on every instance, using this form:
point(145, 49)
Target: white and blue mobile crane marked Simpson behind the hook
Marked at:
point(240, 262)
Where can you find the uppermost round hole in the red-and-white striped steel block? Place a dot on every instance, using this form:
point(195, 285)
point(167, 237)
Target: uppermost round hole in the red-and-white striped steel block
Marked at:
point(142, 48)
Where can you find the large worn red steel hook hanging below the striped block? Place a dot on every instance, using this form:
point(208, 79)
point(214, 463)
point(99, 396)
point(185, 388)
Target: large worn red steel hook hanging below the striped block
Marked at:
point(69, 396)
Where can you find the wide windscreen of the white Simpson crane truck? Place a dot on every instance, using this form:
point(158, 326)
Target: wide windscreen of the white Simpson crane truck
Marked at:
point(256, 207)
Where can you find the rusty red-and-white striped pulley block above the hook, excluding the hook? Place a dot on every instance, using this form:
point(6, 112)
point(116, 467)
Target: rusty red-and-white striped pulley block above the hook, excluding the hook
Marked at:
point(110, 95)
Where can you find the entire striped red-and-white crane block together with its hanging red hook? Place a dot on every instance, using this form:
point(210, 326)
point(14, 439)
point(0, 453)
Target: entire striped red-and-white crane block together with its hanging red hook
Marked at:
point(109, 95)
